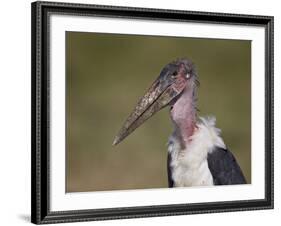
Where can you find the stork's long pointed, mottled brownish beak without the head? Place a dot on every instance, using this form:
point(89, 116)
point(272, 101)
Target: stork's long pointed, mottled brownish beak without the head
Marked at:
point(158, 96)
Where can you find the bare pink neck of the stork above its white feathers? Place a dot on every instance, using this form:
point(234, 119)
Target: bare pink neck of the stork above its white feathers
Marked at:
point(183, 115)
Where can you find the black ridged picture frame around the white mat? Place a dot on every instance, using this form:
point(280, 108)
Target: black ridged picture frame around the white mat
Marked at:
point(40, 208)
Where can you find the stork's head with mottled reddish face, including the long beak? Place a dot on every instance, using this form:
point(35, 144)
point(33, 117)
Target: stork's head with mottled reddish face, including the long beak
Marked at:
point(174, 79)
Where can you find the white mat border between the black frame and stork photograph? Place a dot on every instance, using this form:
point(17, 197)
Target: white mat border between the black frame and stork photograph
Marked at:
point(59, 200)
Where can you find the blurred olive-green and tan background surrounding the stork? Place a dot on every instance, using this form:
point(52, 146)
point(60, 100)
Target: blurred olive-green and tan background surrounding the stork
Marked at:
point(108, 73)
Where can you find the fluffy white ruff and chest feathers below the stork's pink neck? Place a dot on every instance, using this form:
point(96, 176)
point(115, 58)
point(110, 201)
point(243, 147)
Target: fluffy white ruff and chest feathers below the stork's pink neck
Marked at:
point(189, 165)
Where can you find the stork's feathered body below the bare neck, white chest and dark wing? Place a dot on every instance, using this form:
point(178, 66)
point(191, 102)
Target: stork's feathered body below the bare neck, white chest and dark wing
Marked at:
point(199, 162)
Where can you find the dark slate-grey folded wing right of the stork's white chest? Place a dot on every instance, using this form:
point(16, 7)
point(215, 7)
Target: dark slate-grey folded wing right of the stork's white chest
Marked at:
point(224, 168)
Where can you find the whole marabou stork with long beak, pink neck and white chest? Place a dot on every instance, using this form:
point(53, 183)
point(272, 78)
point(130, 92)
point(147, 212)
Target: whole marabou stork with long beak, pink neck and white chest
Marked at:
point(197, 155)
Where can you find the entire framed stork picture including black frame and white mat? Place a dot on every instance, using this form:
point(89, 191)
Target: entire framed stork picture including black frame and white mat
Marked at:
point(146, 112)
